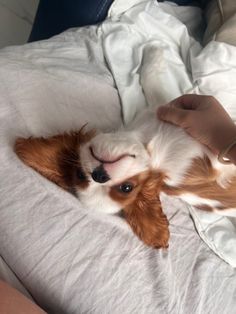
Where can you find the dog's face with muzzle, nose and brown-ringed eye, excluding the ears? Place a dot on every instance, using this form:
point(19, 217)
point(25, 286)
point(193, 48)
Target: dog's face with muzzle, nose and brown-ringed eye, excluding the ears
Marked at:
point(112, 165)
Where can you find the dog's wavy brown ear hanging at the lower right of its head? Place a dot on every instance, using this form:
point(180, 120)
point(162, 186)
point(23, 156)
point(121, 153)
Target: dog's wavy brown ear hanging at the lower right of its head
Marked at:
point(146, 217)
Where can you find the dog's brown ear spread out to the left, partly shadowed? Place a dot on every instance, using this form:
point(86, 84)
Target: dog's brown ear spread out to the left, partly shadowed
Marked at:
point(54, 157)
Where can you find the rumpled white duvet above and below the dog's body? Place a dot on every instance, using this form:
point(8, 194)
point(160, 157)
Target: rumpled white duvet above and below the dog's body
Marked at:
point(154, 33)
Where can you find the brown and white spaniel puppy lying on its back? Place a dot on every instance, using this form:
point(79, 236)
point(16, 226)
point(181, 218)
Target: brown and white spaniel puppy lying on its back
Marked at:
point(128, 169)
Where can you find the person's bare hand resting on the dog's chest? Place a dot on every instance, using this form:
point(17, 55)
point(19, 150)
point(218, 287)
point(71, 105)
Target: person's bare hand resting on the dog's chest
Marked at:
point(203, 118)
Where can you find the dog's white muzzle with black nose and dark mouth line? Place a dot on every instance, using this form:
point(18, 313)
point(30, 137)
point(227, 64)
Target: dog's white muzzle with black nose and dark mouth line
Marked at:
point(110, 158)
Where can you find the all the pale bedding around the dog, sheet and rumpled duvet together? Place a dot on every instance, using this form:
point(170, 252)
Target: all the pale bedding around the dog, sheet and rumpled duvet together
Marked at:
point(72, 261)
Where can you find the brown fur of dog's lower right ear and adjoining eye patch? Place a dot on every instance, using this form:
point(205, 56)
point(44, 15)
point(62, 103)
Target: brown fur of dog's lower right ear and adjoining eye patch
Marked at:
point(142, 209)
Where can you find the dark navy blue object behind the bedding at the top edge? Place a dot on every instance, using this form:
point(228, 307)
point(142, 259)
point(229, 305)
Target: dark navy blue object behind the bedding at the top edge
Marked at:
point(55, 16)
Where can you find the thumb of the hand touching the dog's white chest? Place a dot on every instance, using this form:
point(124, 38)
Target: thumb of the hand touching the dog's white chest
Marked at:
point(171, 114)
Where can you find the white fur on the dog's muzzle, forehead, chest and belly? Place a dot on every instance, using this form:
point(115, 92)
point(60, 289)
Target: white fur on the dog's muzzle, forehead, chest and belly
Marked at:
point(156, 146)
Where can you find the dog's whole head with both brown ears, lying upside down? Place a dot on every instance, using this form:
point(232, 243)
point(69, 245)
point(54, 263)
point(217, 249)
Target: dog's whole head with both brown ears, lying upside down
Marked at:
point(107, 173)
